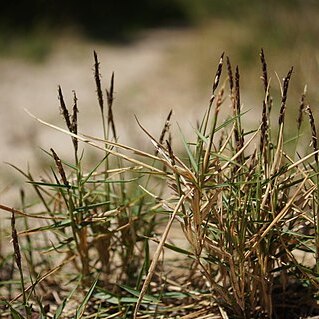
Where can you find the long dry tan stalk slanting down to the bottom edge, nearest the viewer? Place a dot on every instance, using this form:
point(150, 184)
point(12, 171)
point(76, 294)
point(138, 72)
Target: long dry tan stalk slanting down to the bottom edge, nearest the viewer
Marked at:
point(156, 256)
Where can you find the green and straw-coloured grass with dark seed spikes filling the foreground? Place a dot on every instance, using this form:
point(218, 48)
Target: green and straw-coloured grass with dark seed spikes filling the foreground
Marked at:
point(246, 206)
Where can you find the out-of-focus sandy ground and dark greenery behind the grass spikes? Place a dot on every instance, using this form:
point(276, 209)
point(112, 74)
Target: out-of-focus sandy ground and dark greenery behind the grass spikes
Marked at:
point(164, 54)
